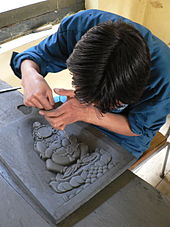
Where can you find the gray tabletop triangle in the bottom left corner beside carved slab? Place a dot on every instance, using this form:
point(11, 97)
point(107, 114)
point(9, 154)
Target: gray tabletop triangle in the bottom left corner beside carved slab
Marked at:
point(15, 211)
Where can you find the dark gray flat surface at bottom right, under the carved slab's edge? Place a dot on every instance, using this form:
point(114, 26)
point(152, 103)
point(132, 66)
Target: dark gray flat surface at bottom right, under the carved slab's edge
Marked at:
point(126, 202)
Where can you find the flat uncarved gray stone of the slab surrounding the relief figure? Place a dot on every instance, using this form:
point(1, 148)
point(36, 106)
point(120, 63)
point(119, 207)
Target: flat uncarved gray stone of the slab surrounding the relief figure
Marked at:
point(17, 154)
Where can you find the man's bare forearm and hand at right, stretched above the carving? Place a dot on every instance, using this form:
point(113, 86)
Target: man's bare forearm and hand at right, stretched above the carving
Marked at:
point(73, 111)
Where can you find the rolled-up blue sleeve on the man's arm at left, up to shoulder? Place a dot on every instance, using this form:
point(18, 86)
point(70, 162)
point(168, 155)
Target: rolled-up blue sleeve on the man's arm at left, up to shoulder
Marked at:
point(51, 54)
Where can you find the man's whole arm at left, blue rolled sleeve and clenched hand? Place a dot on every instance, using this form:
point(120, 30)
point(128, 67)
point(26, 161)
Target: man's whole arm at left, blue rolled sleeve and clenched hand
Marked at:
point(50, 55)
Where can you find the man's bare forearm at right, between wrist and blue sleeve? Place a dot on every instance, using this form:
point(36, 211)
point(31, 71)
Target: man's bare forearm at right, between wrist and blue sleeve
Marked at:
point(114, 122)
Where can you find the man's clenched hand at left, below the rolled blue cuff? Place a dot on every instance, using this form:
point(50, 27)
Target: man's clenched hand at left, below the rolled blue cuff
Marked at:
point(37, 92)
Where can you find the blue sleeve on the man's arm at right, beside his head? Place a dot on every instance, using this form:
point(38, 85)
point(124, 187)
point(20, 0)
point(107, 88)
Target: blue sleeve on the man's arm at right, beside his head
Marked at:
point(147, 116)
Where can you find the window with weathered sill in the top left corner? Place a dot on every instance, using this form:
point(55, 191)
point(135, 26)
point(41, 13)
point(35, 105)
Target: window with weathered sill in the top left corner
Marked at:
point(18, 17)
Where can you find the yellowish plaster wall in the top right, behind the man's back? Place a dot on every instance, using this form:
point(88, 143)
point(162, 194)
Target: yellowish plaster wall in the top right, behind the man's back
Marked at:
point(154, 14)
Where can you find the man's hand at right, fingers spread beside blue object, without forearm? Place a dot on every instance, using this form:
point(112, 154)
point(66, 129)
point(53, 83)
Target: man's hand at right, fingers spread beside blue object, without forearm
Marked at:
point(69, 112)
